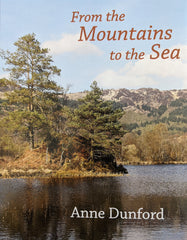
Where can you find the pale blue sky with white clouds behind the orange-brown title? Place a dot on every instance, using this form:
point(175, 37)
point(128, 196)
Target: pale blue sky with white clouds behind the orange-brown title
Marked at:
point(82, 62)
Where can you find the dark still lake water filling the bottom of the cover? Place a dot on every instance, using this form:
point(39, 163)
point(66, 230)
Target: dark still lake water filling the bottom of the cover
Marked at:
point(41, 209)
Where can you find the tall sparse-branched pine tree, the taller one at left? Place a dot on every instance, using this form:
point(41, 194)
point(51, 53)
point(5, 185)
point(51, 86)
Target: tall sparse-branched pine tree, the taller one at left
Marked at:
point(35, 95)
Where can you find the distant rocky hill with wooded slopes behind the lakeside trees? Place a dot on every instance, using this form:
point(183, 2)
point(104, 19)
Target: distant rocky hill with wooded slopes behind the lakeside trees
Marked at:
point(147, 106)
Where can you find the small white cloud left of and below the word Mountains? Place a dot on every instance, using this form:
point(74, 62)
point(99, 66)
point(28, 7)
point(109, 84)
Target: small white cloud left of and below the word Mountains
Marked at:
point(70, 43)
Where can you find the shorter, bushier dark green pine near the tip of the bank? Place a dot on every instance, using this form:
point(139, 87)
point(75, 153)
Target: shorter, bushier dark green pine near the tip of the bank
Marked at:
point(98, 123)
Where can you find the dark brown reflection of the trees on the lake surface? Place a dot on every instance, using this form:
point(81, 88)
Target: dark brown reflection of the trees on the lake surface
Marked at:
point(42, 209)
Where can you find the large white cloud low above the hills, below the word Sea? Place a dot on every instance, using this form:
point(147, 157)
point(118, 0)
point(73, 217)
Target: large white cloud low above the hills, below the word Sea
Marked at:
point(146, 73)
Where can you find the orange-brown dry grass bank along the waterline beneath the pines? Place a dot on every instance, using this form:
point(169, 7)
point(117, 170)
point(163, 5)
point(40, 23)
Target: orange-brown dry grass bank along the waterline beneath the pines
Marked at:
point(33, 164)
